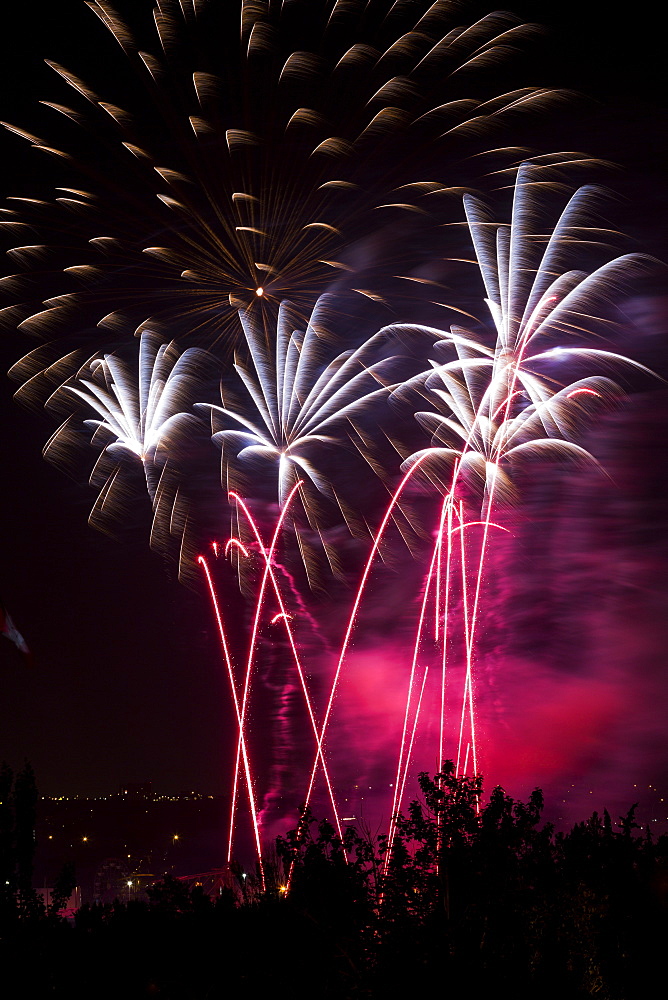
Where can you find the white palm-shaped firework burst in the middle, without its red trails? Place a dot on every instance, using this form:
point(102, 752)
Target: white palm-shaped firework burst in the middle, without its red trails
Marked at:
point(301, 410)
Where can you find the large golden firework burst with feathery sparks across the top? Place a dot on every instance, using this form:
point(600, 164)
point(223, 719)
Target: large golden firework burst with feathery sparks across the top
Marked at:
point(249, 174)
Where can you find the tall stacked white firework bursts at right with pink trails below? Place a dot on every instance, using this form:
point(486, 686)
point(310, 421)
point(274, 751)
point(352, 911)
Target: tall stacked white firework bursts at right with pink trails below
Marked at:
point(505, 404)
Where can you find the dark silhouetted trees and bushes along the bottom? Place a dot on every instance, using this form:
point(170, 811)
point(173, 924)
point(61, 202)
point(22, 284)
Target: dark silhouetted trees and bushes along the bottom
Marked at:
point(473, 894)
